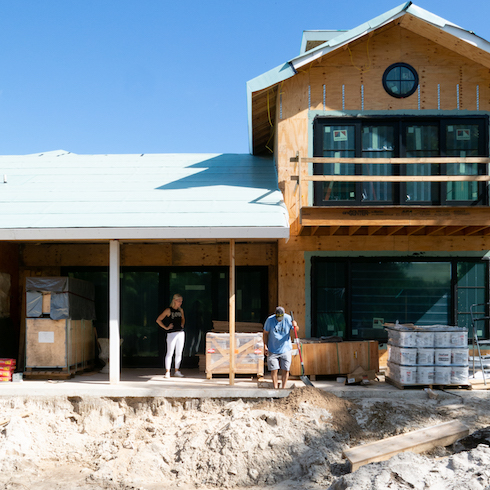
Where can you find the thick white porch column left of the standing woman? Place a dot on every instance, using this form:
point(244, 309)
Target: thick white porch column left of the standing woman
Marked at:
point(114, 291)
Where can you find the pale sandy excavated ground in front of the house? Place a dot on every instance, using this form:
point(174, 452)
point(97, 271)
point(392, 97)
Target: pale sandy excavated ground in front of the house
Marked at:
point(74, 443)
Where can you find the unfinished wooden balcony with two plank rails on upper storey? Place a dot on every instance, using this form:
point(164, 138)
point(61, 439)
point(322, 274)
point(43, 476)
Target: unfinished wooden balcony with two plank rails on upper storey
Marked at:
point(378, 219)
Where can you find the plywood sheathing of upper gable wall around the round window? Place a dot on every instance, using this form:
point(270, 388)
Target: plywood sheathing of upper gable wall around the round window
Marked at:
point(362, 63)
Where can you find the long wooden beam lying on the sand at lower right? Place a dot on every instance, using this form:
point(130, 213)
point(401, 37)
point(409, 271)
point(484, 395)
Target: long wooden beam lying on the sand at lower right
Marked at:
point(418, 441)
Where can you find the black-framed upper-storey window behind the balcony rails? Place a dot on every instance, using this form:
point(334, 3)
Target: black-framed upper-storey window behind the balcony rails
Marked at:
point(395, 137)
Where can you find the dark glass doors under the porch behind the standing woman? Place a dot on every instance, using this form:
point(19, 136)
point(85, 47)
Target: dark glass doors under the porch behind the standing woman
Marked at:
point(147, 291)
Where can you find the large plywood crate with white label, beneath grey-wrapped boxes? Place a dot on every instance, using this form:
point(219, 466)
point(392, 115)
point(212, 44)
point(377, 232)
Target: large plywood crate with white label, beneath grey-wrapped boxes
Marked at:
point(58, 346)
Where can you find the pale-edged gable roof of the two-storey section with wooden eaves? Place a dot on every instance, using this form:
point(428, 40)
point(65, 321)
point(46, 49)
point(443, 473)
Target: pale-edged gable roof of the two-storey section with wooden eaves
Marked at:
point(407, 15)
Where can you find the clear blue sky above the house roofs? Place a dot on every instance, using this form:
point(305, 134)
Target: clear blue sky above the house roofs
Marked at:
point(158, 76)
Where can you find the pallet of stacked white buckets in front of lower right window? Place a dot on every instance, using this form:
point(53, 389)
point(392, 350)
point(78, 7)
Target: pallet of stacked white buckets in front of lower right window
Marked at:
point(427, 355)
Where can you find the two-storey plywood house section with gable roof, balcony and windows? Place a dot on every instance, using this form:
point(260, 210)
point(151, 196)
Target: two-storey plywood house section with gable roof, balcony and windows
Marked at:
point(380, 136)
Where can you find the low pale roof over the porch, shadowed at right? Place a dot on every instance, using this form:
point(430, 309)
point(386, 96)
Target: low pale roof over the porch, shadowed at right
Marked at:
point(61, 196)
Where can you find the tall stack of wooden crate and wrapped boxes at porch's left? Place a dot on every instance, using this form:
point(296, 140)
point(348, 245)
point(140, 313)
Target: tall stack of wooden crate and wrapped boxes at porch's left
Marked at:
point(60, 338)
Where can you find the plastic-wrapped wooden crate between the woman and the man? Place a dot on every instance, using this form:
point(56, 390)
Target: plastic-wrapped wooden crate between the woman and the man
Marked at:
point(249, 352)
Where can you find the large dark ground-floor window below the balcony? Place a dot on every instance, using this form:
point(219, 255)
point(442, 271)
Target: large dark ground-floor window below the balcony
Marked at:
point(353, 298)
